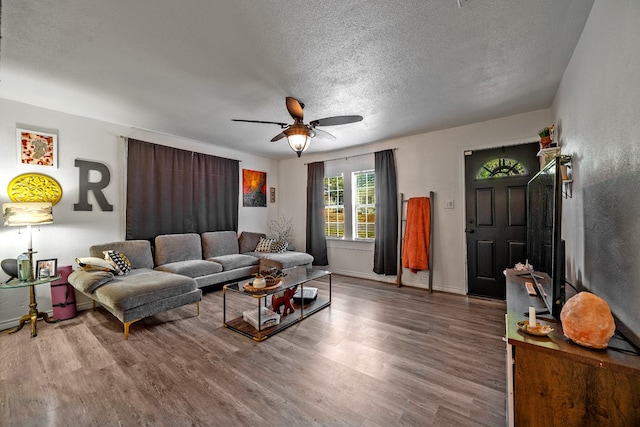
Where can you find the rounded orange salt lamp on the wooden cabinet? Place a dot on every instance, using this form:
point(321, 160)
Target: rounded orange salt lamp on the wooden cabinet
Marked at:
point(587, 320)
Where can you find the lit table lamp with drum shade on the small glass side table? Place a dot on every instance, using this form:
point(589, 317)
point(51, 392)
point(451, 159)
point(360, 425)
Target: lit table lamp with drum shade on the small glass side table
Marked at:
point(32, 213)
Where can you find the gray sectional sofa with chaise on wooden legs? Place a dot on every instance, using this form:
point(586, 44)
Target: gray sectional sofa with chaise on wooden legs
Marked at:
point(174, 275)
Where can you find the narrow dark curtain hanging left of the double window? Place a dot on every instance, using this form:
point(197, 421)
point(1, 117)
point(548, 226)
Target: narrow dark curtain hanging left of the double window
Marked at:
point(316, 240)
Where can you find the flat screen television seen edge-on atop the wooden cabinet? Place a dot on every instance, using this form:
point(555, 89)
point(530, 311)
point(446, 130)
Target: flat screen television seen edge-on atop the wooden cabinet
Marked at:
point(545, 248)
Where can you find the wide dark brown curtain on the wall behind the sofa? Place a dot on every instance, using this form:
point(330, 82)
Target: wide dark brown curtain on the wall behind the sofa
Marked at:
point(177, 191)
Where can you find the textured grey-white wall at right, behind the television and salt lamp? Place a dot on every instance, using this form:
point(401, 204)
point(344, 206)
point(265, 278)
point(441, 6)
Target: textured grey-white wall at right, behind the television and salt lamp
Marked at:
point(597, 108)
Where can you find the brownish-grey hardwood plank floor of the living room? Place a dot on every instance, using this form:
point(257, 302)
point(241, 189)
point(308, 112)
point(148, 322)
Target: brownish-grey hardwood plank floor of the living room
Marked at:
point(378, 356)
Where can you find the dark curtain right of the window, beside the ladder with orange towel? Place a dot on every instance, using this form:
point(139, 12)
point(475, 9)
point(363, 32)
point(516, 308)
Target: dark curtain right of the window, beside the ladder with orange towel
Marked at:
point(385, 255)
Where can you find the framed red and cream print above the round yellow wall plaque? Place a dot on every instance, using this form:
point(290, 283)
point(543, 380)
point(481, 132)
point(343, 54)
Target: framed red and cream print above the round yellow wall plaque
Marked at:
point(37, 148)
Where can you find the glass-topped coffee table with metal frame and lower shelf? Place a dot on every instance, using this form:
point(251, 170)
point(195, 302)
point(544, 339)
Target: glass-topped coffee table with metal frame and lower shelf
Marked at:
point(304, 302)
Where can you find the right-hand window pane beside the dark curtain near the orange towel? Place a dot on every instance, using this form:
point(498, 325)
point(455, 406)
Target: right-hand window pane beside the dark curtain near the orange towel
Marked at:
point(364, 204)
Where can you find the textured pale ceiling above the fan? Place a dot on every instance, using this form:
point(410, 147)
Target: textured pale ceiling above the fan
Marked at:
point(187, 68)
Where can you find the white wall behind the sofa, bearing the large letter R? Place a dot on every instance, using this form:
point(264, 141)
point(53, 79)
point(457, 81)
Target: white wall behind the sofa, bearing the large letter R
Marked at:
point(73, 232)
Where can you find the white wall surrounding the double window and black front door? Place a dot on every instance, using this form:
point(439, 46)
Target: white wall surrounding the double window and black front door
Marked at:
point(426, 162)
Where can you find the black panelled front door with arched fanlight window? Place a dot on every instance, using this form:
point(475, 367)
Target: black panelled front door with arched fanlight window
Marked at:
point(496, 214)
